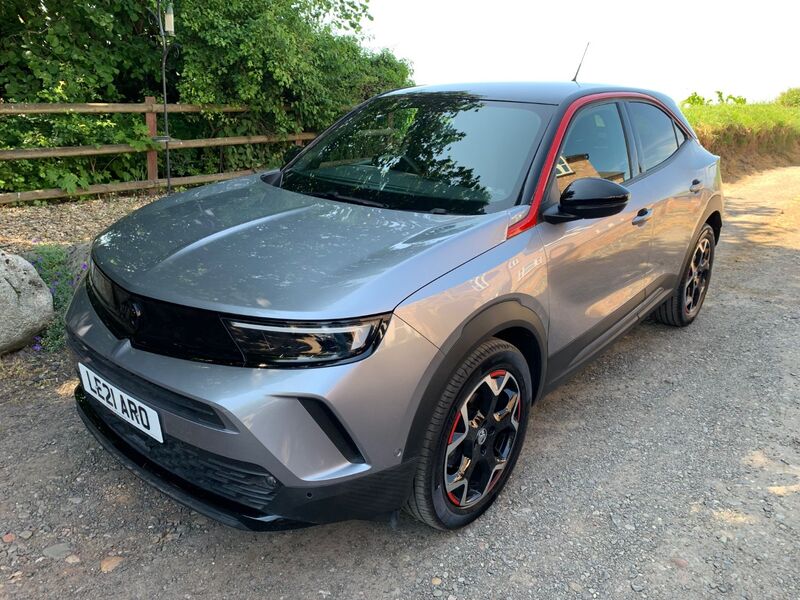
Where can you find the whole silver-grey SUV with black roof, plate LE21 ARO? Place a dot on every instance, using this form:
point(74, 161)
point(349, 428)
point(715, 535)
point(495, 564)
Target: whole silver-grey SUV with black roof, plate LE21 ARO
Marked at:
point(366, 328)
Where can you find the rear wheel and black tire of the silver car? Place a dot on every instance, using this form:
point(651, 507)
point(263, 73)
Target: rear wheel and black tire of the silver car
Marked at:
point(683, 306)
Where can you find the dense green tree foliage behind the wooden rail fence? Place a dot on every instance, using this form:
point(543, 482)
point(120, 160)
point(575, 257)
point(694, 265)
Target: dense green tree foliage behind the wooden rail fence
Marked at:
point(298, 64)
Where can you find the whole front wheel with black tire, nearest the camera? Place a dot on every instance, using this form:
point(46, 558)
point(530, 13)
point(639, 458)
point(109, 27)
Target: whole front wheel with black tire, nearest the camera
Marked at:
point(474, 381)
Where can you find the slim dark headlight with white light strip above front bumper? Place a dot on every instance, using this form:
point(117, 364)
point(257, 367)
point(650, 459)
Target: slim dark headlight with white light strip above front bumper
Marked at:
point(305, 344)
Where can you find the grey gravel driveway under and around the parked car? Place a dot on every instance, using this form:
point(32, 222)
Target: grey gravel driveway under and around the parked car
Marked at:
point(669, 468)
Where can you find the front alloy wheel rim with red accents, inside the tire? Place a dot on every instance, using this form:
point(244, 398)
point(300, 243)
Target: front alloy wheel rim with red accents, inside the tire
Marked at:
point(482, 438)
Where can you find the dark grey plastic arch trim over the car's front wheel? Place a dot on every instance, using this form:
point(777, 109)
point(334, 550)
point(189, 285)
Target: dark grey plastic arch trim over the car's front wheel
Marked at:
point(508, 320)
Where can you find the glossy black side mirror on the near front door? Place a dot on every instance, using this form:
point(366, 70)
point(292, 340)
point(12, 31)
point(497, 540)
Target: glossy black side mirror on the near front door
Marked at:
point(588, 198)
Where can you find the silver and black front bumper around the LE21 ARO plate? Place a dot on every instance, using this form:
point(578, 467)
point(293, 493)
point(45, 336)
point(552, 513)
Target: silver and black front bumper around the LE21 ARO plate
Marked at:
point(242, 445)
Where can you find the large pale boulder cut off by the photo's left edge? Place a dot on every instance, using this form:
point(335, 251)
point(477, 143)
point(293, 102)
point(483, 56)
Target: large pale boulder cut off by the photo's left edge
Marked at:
point(26, 305)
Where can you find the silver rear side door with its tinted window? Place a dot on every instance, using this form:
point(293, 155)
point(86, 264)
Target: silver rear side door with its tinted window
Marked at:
point(672, 182)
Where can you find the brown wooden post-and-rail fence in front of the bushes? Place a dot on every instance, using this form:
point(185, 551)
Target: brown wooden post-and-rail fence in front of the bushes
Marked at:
point(150, 110)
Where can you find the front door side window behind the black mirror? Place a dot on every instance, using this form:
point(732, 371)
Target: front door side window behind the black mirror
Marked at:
point(594, 147)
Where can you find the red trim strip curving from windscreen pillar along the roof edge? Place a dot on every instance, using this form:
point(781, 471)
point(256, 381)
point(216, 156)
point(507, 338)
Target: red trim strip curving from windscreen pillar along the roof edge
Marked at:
point(529, 220)
